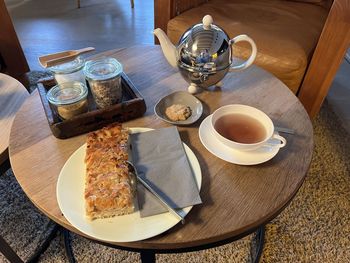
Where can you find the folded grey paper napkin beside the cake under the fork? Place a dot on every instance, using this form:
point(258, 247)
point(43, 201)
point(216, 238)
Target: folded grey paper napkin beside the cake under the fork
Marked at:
point(160, 158)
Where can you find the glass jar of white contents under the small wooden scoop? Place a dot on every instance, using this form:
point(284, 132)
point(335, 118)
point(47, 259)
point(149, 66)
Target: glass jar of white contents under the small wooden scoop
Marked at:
point(70, 71)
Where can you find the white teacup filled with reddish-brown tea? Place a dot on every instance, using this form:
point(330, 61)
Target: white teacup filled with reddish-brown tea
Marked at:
point(245, 128)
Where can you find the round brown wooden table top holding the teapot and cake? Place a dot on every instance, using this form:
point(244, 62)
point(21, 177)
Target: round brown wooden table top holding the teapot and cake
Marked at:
point(236, 199)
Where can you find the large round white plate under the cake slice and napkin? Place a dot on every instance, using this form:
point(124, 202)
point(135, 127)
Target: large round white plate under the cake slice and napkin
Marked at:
point(127, 228)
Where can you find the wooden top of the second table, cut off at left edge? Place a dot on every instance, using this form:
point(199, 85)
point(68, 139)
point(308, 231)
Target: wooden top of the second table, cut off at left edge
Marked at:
point(12, 95)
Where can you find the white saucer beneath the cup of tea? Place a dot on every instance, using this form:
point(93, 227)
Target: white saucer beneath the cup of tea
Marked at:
point(213, 145)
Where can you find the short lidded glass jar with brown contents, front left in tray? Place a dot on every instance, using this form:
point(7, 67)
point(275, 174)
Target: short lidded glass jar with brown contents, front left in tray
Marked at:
point(68, 99)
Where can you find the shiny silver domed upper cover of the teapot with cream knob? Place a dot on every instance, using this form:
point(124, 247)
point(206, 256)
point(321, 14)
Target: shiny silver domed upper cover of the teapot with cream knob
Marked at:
point(204, 47)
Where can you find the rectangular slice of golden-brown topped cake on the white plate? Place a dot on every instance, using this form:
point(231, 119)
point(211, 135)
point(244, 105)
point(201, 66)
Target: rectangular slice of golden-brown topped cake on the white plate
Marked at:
point(108, 189)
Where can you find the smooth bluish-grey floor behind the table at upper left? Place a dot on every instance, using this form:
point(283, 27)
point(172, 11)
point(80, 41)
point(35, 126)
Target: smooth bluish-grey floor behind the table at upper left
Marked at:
point(46, 26)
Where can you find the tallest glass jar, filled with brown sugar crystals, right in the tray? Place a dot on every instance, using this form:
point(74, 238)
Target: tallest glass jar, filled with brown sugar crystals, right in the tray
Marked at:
point(104, 78)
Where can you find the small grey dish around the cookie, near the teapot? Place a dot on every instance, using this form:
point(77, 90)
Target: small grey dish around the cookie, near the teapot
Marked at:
point(179, 97)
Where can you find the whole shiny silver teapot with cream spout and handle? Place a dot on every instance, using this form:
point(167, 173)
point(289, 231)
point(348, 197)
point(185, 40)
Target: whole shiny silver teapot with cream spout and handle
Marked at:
point(203, 54)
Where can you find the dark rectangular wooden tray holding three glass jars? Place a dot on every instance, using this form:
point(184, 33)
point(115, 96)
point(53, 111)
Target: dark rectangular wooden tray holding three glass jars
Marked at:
point(131, 107)
